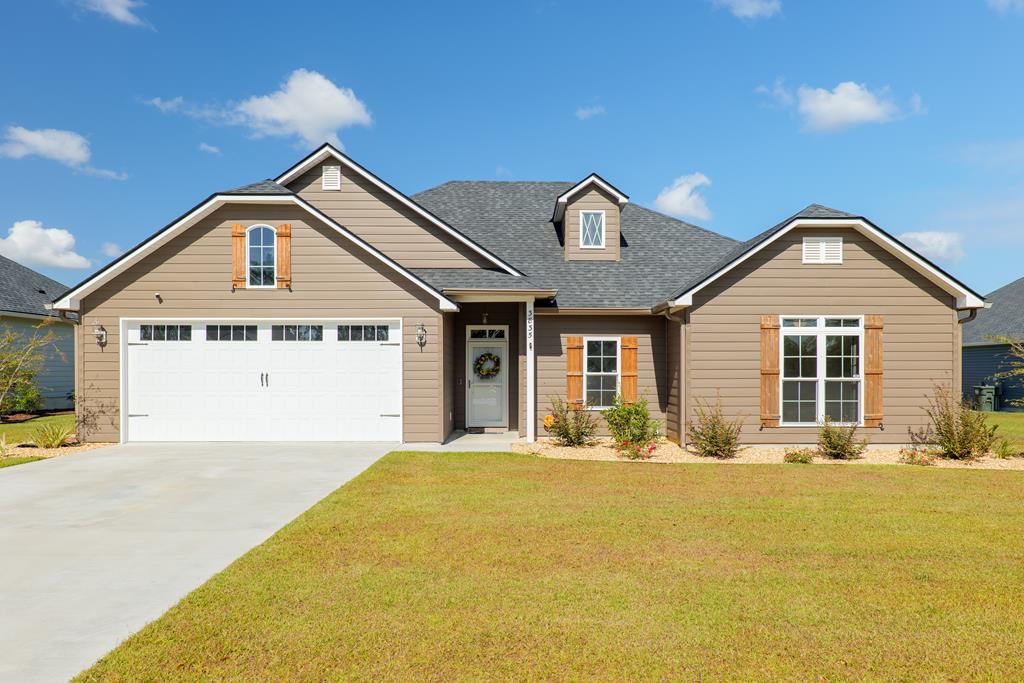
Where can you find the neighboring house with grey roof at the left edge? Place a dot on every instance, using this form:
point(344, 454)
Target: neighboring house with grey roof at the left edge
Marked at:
point(25, 297)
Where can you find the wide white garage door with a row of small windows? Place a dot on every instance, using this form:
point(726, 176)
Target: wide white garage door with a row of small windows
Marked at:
point(264, 381)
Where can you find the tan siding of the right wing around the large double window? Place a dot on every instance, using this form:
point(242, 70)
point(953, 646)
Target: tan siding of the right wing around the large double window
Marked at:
point(921, 337)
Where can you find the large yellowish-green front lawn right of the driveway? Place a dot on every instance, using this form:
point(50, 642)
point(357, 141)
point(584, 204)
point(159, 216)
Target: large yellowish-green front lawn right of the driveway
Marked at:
point(471, 567)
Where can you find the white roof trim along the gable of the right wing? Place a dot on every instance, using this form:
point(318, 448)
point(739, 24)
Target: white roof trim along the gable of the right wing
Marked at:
point(965, 298)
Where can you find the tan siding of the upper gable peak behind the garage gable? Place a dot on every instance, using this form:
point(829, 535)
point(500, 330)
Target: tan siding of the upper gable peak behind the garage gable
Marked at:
point(386, 223)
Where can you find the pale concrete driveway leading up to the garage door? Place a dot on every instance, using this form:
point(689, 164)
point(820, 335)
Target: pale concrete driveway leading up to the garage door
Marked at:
point(95, 546)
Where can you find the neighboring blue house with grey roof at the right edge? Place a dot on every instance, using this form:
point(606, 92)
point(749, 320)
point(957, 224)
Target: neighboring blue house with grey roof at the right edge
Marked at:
point(985, 356)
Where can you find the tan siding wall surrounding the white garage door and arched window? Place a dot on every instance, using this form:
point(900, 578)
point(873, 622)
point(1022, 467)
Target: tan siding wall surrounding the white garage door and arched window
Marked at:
point(331, 278)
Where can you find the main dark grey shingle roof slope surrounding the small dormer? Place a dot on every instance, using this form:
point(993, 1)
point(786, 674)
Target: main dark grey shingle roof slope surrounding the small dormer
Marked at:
point(514, 220)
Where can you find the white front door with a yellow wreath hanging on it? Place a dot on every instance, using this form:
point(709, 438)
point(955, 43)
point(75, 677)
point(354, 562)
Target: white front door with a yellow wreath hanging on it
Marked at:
point(487, 385)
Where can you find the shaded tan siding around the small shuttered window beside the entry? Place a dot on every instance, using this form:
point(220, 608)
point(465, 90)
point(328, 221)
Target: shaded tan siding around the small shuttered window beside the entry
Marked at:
point(652, 356)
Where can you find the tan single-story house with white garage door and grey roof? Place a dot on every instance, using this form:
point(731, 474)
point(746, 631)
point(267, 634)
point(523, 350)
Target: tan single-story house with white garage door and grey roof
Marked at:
point(325, 305)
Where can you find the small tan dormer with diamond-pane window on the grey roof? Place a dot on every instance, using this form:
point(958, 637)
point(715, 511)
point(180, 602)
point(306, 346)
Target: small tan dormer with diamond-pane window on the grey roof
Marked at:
point(587, 219)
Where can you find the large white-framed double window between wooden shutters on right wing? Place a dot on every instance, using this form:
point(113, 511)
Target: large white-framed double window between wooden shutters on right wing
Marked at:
point(822, 376)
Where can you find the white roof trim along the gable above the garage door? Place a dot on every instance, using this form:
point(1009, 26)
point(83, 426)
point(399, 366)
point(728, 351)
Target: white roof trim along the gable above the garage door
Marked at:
point(72, 301)
